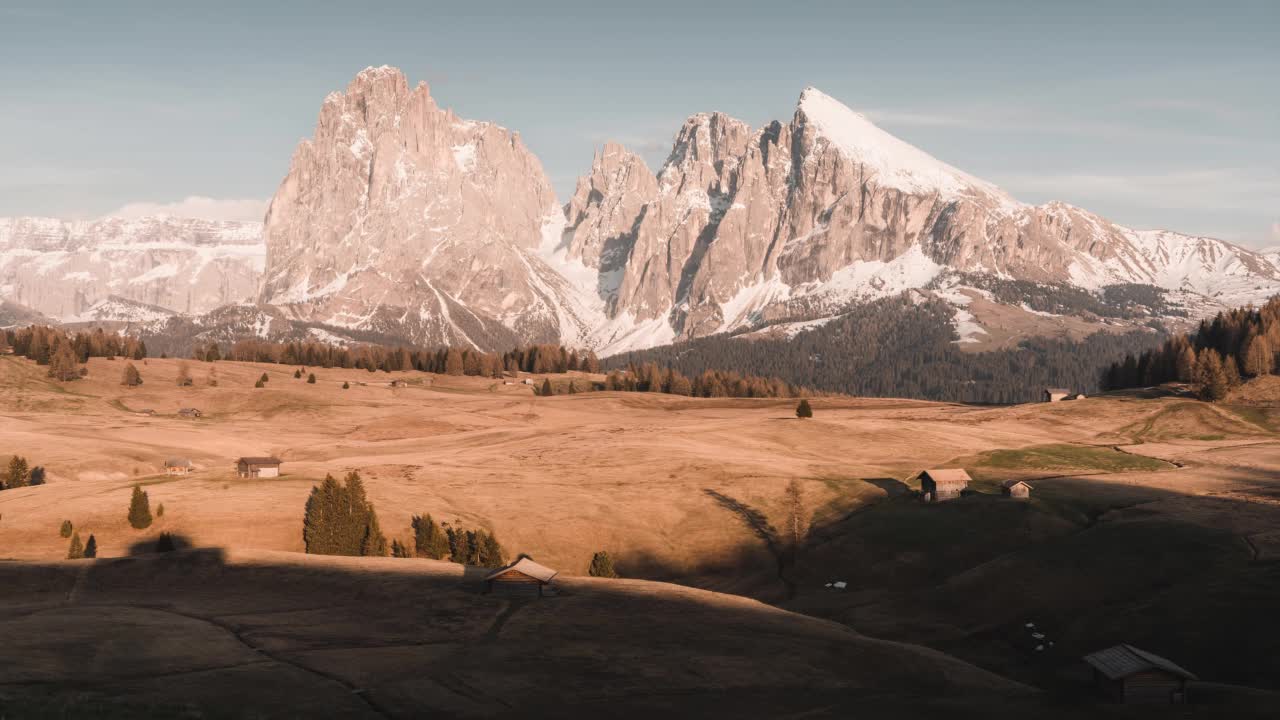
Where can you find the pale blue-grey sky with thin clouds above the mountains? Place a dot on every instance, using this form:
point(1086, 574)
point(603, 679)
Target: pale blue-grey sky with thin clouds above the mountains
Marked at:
point(1155, 115)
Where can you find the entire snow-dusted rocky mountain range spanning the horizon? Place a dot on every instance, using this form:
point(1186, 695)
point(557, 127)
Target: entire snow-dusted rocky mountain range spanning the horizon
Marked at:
point(399, 220)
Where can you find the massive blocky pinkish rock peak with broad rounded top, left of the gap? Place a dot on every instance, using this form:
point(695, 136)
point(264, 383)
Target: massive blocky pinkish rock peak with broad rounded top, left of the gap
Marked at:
point(403, 218)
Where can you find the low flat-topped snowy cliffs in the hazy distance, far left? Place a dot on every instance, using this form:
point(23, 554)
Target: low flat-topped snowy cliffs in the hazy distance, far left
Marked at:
point(65, 270)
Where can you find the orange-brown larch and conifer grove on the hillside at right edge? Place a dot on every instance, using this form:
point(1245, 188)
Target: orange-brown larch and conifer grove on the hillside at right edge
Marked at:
point(1219, 356)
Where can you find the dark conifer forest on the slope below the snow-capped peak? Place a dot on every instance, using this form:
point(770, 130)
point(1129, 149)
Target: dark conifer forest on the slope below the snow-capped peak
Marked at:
point(899, 348)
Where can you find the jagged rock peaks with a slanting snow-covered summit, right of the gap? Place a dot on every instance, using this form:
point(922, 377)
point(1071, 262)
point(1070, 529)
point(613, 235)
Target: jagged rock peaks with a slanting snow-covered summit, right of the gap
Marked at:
point(802, 221)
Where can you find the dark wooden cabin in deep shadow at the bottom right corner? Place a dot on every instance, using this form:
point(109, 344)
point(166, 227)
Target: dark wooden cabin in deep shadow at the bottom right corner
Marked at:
point(1131, 676)
